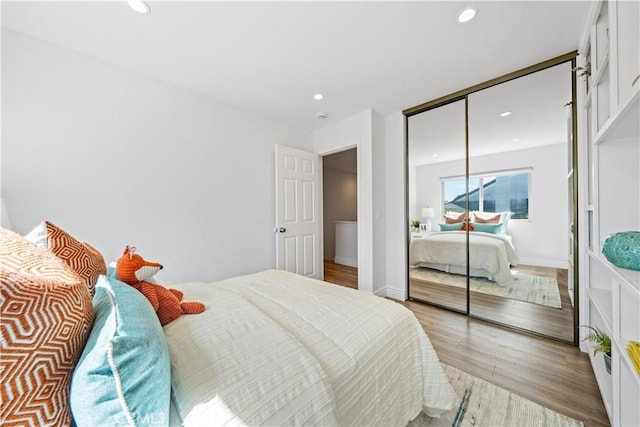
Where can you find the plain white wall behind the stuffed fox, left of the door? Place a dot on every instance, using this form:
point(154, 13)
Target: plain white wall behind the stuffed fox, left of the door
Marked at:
point(117, 158)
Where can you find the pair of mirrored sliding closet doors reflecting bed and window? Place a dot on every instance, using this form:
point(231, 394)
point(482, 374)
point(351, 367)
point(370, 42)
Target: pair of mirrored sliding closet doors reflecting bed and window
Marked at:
point(504, 195)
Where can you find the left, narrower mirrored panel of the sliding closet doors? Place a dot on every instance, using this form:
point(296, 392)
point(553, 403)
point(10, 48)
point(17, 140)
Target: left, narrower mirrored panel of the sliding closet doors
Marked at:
point(437, 148)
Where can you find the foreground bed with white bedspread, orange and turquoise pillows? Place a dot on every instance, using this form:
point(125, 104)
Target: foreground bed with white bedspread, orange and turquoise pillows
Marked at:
point(272, 348)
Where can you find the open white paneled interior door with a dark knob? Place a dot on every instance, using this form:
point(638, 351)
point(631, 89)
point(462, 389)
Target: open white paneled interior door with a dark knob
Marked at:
point(298, 211)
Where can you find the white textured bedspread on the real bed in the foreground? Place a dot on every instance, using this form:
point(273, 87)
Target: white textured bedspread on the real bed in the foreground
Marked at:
point(276, 348)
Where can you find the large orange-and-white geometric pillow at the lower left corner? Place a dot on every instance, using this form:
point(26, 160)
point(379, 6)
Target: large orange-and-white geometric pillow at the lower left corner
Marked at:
point(47, 315)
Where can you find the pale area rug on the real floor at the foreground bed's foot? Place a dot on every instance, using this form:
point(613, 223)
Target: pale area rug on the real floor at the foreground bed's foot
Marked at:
point(481, 403)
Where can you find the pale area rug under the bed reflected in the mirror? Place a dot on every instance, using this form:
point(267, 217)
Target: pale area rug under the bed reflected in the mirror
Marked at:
point(540, 290)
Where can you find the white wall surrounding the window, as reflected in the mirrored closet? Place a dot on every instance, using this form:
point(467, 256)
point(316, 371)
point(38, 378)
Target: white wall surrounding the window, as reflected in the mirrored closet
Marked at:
point(543, 240)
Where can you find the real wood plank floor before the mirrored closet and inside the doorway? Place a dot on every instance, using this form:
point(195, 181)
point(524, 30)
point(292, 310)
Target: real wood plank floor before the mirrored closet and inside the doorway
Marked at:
point(552, 374)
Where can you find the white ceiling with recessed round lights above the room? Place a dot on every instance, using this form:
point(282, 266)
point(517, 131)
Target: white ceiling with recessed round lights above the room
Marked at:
point(270, 58)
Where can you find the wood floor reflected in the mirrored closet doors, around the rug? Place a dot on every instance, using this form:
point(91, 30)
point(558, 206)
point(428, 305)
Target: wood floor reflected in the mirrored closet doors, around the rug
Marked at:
point(555, 322)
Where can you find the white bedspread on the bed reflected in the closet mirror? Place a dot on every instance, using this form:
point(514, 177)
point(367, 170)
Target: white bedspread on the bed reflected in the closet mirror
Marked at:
point(491, 252)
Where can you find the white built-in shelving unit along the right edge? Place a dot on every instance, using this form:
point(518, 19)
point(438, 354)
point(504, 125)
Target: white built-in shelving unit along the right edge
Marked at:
point(609, 193)
